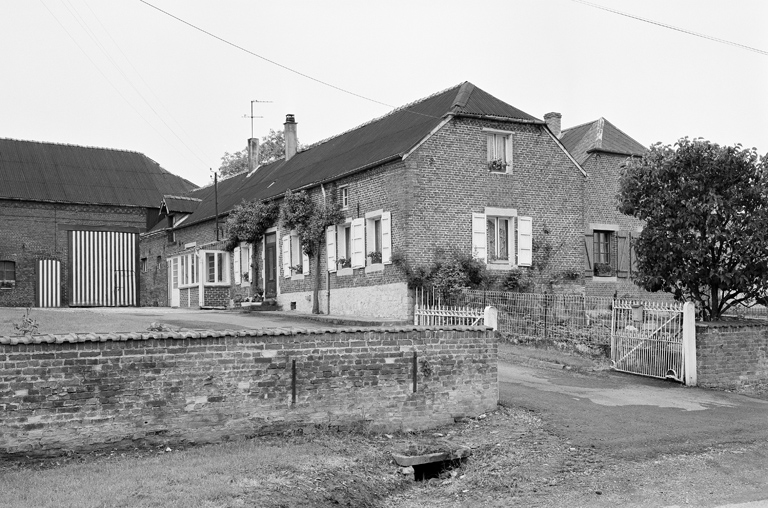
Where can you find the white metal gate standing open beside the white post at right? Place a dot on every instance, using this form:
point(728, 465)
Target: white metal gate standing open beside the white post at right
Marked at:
point(647, 339)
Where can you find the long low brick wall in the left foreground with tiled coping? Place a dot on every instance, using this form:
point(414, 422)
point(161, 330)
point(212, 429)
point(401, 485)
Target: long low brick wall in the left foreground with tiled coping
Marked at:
point(84, 391)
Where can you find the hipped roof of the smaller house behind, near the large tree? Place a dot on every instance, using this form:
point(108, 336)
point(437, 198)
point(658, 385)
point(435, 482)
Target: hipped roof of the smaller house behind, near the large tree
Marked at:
point(601, 136)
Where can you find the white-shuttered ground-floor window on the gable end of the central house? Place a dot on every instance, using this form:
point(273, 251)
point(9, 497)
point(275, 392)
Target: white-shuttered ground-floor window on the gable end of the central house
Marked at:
point(502, 239)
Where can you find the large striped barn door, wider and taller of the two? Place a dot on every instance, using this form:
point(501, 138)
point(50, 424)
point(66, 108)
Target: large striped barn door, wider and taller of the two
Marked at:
point(103, 268)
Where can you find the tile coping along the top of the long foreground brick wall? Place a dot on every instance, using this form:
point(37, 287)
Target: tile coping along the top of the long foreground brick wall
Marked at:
point(203, 334)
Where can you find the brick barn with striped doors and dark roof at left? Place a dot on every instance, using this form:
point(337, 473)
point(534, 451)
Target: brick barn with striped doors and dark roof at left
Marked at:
point(70, 217)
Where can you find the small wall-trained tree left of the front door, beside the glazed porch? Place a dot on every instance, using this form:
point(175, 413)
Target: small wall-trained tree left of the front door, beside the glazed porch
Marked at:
point(248, 222)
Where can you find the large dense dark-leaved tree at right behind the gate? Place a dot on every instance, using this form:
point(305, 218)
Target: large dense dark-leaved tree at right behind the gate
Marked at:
point(706, 212)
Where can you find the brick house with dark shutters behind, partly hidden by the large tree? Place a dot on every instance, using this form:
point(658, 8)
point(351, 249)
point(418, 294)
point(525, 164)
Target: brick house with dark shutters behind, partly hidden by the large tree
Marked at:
point(602, 149)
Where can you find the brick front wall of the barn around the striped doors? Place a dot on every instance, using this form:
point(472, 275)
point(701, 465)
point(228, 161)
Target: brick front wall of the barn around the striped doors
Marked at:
point(30, 231)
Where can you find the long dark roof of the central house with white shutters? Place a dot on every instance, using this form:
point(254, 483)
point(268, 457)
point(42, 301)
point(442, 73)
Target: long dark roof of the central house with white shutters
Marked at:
point(374, 143)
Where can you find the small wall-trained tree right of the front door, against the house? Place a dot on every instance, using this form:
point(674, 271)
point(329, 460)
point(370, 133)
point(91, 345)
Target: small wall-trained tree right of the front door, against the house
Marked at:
point(309, 219)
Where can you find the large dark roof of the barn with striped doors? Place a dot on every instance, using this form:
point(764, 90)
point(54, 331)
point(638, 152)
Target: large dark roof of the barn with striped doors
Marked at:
point(36, 171)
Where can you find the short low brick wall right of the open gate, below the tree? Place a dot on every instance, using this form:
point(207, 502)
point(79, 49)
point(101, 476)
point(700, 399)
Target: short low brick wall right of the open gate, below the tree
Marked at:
point(733, 356)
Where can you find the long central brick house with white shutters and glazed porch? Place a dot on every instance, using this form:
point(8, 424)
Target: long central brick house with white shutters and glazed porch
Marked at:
point(460, 168)
